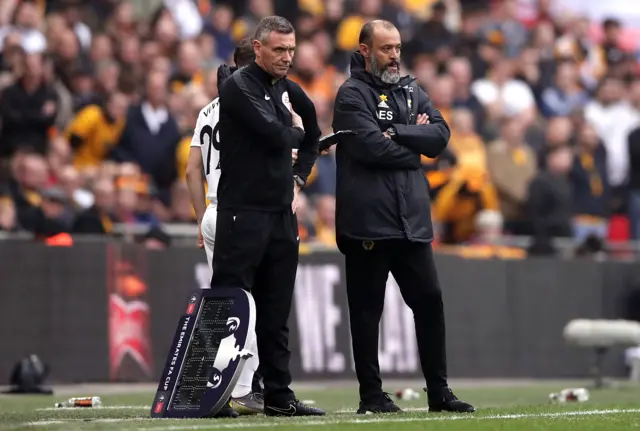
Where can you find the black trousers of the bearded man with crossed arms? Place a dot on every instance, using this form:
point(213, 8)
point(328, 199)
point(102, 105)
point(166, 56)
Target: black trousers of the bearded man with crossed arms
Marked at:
point(368, 264)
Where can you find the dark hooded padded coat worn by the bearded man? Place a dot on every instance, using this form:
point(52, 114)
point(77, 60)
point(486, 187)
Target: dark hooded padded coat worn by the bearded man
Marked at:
point(382, 192)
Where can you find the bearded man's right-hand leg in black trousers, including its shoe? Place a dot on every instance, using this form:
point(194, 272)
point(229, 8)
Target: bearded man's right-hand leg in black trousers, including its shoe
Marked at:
point(415, 271)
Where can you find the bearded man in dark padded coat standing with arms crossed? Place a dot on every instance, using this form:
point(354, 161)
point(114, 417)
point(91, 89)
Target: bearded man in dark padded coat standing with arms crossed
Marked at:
point(383, 218)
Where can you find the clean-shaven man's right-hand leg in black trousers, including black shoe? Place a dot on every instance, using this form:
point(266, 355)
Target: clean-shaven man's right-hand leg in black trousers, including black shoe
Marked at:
point(273, 292)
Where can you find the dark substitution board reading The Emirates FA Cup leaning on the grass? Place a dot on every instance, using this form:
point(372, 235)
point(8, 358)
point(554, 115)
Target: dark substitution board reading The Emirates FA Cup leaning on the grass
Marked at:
point(207, 355)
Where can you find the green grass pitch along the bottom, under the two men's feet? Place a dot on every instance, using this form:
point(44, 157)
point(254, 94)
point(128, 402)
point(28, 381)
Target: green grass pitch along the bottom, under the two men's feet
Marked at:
point(521, 408)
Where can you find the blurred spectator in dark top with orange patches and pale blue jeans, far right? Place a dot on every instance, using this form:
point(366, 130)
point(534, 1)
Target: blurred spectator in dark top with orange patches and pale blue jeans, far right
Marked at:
point(589, 186)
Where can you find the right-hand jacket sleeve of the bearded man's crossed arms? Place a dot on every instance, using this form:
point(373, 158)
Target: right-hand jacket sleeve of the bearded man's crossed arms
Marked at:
point(427, 139)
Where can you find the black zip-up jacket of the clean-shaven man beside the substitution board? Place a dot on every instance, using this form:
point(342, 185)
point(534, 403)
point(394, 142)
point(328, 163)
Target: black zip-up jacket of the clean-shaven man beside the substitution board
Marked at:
point(256, 139)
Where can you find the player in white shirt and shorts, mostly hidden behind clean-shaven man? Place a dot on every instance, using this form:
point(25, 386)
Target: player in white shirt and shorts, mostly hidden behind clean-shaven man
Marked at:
point(204, 157)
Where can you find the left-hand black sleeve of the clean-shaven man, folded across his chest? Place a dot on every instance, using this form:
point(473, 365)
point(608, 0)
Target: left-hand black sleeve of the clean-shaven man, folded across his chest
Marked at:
point(245, 101)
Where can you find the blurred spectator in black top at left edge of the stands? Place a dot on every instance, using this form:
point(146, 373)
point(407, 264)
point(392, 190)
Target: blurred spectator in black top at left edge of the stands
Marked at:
point(28, 109)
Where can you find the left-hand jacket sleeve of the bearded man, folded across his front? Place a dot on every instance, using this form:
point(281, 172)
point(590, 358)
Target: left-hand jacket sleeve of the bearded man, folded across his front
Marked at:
point(369, 147)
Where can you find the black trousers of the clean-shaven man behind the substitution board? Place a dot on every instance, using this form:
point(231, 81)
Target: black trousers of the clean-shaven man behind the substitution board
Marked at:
point(258, 251)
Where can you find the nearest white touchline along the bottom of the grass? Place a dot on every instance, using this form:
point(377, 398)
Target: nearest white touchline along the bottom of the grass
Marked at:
point(337, 420)
